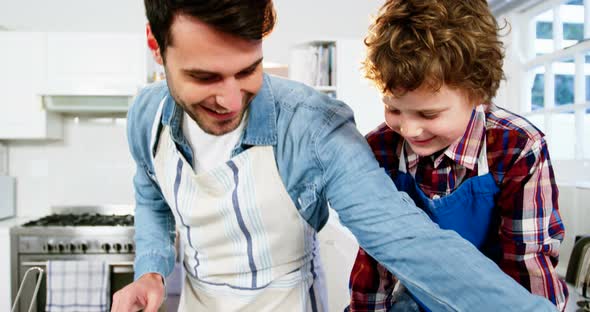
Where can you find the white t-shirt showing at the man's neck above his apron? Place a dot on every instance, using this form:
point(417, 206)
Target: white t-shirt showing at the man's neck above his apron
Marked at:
point(209, 151)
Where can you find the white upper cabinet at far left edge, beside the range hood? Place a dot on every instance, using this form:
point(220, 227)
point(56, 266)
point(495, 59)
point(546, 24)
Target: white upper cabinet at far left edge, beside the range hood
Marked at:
point(22, 74)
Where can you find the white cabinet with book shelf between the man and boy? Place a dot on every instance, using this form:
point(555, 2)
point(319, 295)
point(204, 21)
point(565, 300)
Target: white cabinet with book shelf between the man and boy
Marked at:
point(334, 67)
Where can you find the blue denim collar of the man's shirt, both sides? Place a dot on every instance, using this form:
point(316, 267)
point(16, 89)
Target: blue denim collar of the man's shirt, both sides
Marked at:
point(261, 128)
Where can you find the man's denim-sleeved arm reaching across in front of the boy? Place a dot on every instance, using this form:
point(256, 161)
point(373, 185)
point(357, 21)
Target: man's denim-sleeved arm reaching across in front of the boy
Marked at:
point(444, 271)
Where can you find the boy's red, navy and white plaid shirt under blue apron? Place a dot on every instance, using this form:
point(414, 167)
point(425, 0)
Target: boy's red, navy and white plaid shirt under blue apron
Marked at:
point(530, 230)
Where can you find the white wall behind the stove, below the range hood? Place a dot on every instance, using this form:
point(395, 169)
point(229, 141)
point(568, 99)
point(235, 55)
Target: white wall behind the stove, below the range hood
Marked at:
point(90, 166)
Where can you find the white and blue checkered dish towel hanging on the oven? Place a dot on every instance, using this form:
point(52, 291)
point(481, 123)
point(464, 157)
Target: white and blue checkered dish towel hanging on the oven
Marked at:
point(77, 286)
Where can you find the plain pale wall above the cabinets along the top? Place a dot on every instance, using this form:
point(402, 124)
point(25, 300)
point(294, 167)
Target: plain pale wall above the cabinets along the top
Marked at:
point(297, 21)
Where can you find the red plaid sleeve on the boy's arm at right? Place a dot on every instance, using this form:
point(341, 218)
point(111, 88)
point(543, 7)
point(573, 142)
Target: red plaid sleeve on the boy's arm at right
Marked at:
point(531, 229)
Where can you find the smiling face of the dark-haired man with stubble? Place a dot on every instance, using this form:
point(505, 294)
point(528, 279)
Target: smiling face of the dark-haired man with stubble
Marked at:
point(212, 75)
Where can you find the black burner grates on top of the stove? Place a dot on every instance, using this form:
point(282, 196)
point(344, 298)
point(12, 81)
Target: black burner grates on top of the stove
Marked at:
point(84, 219)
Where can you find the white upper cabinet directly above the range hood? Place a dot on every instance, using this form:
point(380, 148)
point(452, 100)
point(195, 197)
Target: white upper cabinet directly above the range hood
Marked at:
point(102, 64)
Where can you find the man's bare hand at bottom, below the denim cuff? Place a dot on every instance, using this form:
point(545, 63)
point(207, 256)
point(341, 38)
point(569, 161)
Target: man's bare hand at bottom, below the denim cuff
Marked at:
point(146, 293)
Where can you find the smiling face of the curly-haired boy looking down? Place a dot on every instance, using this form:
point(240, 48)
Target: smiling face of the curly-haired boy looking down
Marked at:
point(429, 120)
